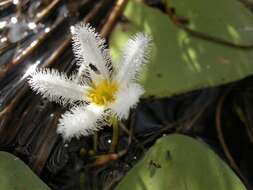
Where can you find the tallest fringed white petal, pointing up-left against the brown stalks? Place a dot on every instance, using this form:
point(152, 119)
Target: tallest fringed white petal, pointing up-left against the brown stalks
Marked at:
point(89, 49)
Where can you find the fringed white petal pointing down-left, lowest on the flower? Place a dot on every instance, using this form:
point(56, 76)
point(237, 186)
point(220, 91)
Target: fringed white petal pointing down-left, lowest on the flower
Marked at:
point(81, 121)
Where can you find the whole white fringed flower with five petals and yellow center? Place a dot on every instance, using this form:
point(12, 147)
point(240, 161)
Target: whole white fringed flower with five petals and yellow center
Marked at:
point(98, 91)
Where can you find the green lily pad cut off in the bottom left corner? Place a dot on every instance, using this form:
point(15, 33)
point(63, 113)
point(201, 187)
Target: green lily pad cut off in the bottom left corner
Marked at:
point(15, 175)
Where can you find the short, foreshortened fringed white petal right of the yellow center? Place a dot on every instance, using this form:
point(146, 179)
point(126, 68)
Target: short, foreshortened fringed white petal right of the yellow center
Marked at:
point(127, 98)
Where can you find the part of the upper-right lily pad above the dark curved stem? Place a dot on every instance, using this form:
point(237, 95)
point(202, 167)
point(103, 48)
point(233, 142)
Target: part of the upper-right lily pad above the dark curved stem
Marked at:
point(227, 19)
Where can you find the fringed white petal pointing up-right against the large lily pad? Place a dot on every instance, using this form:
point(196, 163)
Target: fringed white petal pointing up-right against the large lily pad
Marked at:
point(135, 55)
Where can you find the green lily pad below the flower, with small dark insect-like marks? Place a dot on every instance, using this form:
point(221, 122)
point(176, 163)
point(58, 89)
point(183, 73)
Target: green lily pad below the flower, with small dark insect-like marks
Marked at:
point(179, 162)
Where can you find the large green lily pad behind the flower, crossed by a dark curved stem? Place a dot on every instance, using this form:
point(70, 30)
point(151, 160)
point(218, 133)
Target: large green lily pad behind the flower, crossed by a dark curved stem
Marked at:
point(182, 63)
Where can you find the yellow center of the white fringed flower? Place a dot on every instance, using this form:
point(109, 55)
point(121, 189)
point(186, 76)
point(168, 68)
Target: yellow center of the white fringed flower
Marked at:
point(103, 93)
